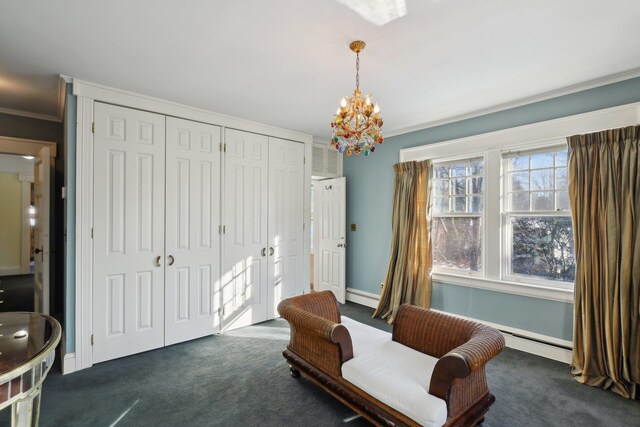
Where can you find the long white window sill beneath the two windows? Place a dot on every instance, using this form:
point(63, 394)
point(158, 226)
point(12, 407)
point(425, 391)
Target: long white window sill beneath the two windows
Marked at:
point(522, 289)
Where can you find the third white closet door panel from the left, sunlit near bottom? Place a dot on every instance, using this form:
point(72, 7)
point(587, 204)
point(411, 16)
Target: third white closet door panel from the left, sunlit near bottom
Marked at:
point(244, 265)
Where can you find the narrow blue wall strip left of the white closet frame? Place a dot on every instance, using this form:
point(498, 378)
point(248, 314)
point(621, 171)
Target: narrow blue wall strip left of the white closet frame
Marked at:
point(70, 220)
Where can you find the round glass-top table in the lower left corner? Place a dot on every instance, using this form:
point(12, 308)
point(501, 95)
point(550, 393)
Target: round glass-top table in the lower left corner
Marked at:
point(27, 352)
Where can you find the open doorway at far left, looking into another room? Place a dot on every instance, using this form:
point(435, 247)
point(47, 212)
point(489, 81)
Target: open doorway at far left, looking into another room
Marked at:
point(25, 169)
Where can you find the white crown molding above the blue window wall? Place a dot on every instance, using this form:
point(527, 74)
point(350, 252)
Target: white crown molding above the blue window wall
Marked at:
point(519, 103)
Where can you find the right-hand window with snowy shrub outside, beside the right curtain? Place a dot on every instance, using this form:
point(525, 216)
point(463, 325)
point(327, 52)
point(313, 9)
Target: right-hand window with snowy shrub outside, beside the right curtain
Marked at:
point(538, 230)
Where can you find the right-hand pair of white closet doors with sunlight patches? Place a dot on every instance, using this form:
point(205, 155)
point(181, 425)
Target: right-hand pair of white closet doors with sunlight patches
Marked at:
point(263, 218)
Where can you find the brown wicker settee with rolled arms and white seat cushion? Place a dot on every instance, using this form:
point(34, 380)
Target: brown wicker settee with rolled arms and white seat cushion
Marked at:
point(323, 345)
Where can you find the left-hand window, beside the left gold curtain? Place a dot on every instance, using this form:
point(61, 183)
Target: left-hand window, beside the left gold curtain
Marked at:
point(457, 204)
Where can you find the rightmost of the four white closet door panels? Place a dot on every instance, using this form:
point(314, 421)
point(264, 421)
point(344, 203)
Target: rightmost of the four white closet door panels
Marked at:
point(286, 220)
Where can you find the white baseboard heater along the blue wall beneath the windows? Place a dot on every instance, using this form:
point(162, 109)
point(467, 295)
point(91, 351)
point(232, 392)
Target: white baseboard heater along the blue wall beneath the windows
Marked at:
point(518, 339)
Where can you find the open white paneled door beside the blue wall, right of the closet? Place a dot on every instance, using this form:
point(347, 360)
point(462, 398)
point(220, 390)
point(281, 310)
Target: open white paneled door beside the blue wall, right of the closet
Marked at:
point(330, 211)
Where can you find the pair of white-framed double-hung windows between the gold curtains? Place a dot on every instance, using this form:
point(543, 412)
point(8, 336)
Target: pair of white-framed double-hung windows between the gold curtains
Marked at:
point(508, 222)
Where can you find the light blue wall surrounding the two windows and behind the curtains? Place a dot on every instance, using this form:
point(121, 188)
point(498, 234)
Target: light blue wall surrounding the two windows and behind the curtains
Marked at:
point(369, 201)
